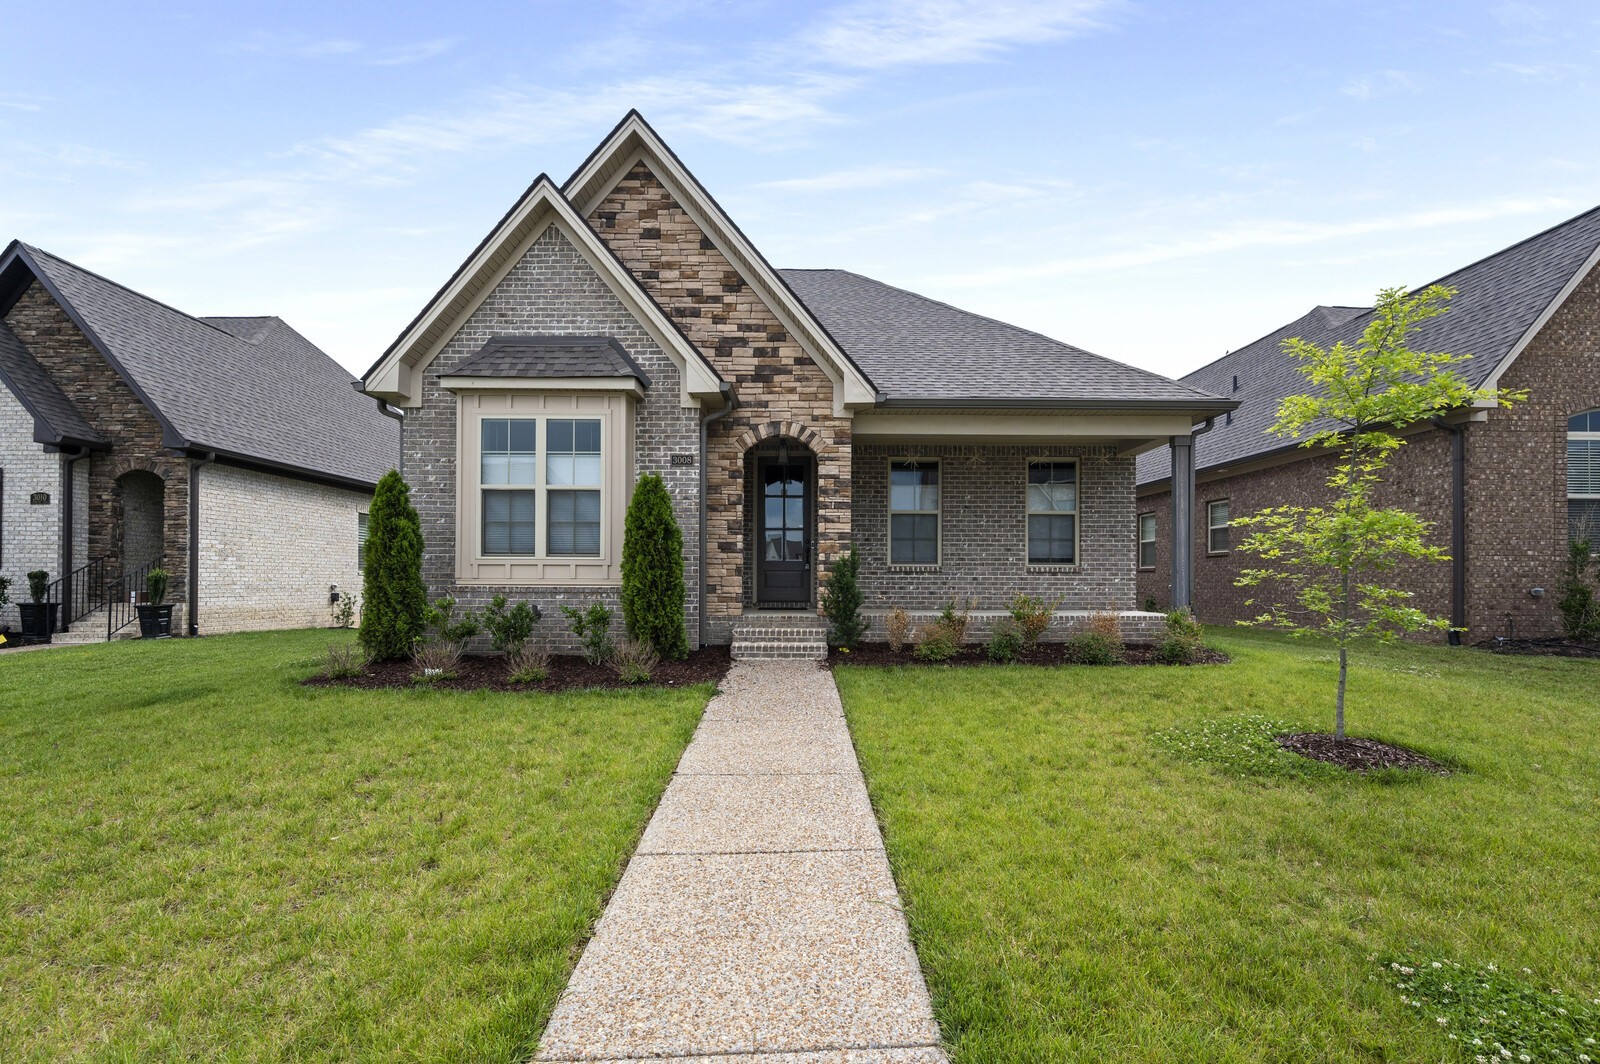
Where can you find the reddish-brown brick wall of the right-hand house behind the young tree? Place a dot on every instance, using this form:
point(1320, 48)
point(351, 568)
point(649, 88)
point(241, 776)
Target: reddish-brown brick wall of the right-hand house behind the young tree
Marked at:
point(1516, 498)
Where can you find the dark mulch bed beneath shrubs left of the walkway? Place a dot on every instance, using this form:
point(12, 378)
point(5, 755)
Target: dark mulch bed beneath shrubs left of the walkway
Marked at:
point(569, 673)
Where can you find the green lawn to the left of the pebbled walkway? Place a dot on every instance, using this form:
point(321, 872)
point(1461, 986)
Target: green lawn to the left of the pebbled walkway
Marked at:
point(202, 860)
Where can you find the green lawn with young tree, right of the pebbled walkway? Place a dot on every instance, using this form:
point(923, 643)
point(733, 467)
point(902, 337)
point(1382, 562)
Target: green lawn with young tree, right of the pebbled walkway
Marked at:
point(1079, 890)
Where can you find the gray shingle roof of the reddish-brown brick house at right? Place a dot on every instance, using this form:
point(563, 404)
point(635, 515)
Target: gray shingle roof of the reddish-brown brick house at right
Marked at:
point(1503, 302)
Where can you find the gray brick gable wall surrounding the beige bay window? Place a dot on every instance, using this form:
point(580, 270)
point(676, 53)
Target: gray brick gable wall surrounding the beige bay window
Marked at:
point(553, 290)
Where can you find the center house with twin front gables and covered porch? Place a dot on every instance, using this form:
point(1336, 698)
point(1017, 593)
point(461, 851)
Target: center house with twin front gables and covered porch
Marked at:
point(622, 324)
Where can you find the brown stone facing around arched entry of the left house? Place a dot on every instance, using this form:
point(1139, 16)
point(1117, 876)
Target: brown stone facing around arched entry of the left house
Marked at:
point(118, 414)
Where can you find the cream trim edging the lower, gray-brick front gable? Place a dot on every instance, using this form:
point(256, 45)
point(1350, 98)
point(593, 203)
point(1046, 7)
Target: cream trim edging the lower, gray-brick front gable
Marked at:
point(396, 377)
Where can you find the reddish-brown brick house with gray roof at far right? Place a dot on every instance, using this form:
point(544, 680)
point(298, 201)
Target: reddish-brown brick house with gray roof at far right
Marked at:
point(1505, 489)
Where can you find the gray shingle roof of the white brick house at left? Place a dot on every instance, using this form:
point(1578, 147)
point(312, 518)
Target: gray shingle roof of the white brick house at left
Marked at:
point(273, 399)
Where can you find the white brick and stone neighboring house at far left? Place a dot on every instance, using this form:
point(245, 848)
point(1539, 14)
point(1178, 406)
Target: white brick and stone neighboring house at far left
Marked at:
point(132, 436)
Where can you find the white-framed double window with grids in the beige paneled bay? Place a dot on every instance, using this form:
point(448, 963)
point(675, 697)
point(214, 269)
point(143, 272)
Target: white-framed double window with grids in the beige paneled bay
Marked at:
point(542, 482)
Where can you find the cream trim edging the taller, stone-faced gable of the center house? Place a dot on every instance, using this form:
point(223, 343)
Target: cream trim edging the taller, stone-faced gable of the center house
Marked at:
point(634, 140)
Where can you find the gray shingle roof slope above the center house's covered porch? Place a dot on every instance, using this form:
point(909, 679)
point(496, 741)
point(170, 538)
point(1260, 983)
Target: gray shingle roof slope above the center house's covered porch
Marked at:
point(922, 350)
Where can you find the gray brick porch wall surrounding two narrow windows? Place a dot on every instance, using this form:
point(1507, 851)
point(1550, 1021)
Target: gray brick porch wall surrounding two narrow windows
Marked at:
point(983, 530)
